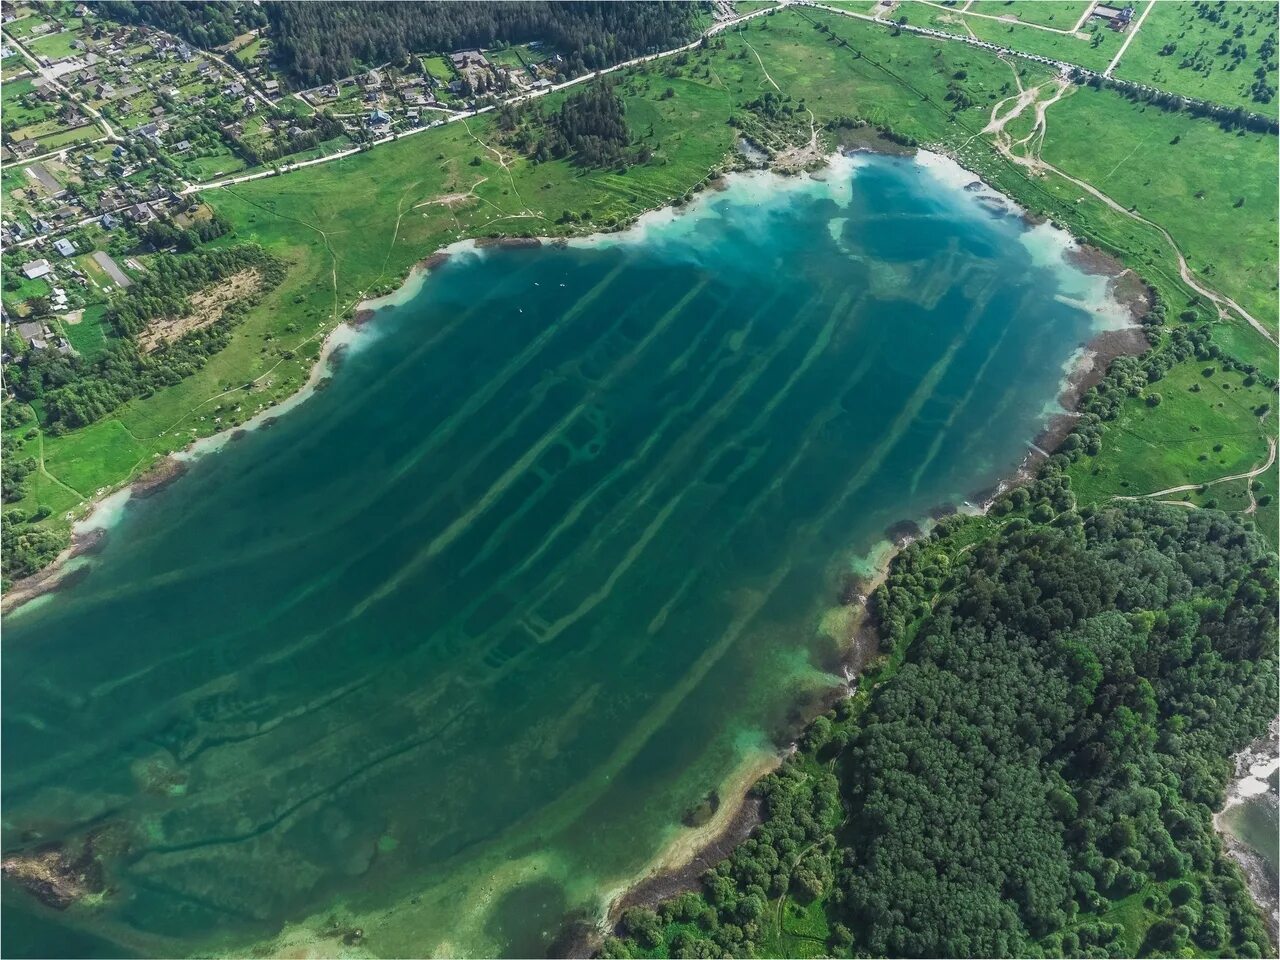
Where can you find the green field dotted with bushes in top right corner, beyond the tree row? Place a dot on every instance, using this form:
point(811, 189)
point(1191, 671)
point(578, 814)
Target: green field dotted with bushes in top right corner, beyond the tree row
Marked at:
point(1180, 49)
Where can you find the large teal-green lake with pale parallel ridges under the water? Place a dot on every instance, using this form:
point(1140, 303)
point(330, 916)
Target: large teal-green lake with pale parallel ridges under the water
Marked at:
point(463, 637)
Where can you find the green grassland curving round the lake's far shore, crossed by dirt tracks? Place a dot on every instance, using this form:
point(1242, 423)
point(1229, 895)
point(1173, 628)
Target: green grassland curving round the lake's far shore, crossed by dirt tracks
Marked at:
point(353, 228)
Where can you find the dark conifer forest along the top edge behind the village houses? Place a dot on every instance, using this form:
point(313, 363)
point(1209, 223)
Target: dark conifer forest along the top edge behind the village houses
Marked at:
point(318, 43)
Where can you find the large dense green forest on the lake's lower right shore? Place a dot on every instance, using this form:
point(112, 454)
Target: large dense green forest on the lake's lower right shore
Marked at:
point(1039, 775)
